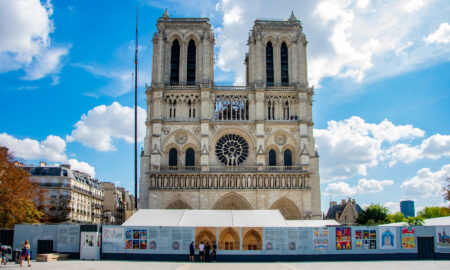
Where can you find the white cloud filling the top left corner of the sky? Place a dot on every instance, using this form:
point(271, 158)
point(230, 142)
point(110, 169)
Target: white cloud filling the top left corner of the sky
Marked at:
point(25, 39)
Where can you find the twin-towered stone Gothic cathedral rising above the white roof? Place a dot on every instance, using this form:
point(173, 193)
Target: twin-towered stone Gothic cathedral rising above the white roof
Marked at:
point(230, 147)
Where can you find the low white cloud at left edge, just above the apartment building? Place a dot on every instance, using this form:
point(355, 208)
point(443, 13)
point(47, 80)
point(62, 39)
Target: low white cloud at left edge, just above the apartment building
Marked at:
point(51, 149)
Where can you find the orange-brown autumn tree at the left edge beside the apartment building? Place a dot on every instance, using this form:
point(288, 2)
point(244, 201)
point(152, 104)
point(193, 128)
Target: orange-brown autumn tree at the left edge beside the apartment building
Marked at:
point(20, 198)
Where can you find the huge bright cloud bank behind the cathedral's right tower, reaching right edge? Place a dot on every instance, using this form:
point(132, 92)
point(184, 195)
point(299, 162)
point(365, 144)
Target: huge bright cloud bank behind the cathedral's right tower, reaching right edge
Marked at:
point(358, 40)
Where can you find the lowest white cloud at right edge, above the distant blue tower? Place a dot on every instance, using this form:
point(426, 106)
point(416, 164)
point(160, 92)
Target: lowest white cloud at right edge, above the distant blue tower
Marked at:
point(426, 183)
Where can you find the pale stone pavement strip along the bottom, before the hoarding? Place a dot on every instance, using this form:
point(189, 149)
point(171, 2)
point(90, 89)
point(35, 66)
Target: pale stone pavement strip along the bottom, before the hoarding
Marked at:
point(134, 265)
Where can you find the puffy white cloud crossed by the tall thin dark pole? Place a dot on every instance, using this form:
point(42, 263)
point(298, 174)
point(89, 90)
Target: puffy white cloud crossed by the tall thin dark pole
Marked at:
point(102, 124)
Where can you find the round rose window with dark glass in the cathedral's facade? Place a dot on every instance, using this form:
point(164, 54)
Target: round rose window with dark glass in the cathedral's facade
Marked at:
point(232, 149)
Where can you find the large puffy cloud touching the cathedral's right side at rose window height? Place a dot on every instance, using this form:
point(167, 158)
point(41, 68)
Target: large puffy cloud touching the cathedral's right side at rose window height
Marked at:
point(350, 146)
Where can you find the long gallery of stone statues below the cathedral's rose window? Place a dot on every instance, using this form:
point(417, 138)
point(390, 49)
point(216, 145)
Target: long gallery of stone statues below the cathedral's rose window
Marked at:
point(239, 180)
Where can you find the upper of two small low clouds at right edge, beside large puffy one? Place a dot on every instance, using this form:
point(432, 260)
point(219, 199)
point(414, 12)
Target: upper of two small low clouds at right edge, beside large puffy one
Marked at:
point(434, 147)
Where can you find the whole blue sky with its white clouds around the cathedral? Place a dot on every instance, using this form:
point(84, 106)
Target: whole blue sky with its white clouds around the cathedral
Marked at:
point(380, 69)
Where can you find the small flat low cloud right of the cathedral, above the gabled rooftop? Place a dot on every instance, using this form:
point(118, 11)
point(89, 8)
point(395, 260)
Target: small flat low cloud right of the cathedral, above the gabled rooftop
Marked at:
point(363, 186)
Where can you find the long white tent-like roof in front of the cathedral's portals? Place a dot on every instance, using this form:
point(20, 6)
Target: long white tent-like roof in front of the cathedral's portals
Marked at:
point(218, 218)
